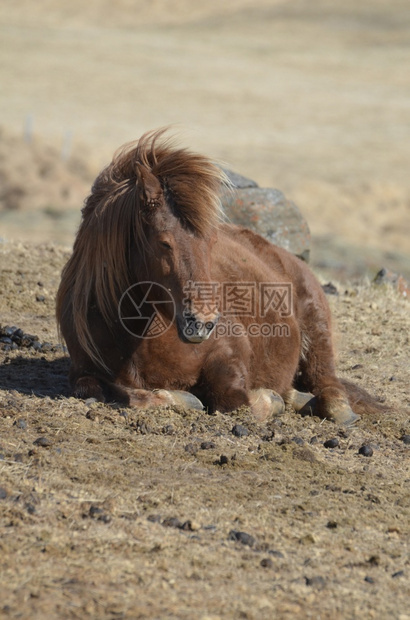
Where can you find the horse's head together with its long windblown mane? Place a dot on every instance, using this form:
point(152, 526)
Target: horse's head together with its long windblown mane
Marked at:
point(151, 217)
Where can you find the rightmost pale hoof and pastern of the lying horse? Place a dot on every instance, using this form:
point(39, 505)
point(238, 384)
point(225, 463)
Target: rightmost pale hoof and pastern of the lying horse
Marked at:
point(331, 403)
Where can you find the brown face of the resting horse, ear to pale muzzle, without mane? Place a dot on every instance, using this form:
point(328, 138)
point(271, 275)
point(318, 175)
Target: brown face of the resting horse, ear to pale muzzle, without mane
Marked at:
point(178, 253)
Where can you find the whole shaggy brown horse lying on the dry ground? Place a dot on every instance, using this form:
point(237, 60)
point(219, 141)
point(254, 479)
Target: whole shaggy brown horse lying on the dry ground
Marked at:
point(162, 302)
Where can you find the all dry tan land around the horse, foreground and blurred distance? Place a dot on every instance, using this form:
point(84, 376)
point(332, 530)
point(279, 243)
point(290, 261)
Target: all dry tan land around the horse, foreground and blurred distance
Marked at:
point(118, 514)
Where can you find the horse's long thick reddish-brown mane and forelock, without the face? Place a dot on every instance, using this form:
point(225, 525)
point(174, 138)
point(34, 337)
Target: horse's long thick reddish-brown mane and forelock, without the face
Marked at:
point(98, 271)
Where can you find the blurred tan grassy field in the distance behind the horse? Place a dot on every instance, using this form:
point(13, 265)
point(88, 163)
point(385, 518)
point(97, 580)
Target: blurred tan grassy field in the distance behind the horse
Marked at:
point(309, 96)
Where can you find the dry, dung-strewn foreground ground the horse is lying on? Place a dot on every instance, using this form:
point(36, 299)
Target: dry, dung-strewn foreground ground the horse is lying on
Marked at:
point(117, 513)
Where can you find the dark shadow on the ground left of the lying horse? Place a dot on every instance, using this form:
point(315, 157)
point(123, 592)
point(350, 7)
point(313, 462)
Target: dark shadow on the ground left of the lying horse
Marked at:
point(37, 377)
